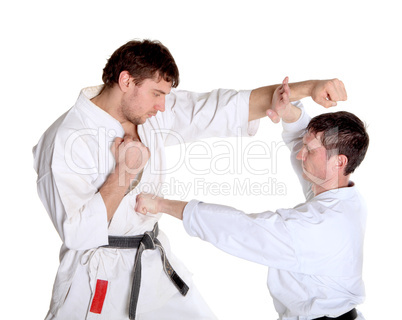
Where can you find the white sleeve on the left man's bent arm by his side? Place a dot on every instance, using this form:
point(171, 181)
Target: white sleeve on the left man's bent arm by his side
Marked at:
point(67, 189)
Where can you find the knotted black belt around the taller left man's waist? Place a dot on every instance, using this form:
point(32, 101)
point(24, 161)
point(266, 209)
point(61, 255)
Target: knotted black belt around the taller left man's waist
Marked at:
point(144, 242)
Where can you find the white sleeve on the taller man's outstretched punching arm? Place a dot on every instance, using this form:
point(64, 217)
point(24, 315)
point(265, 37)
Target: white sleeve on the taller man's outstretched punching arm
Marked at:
point(219, 113)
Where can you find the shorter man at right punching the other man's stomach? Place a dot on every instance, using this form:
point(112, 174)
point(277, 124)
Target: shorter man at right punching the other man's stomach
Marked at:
point(314, 251)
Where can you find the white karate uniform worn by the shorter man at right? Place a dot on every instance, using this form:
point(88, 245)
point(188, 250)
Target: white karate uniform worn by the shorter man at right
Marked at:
point(314, 251)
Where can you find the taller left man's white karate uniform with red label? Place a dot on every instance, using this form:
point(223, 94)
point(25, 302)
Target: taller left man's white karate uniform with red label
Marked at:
point(73, 160)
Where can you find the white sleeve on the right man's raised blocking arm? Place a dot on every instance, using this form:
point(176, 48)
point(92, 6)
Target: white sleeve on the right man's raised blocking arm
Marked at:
point(292, 135)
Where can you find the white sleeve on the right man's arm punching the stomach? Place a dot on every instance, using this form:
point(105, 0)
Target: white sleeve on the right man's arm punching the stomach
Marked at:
point(263, 238)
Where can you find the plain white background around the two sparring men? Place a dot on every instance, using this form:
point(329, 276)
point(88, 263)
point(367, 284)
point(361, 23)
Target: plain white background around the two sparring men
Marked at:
point(52, 49)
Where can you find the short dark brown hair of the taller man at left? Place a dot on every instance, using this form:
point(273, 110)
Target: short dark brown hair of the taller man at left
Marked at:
point(144, 59)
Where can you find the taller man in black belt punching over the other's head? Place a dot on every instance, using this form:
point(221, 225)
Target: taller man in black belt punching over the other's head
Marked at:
point(115, 263)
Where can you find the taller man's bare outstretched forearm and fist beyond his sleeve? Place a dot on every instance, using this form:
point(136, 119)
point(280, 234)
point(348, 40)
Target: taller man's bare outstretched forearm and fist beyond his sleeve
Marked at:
point(323, 92)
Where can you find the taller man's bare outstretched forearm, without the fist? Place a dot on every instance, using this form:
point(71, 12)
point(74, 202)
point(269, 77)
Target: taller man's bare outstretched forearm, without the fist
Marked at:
point(261, 98)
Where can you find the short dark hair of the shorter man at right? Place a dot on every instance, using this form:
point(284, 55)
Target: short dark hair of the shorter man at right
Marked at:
point(343, 133)
